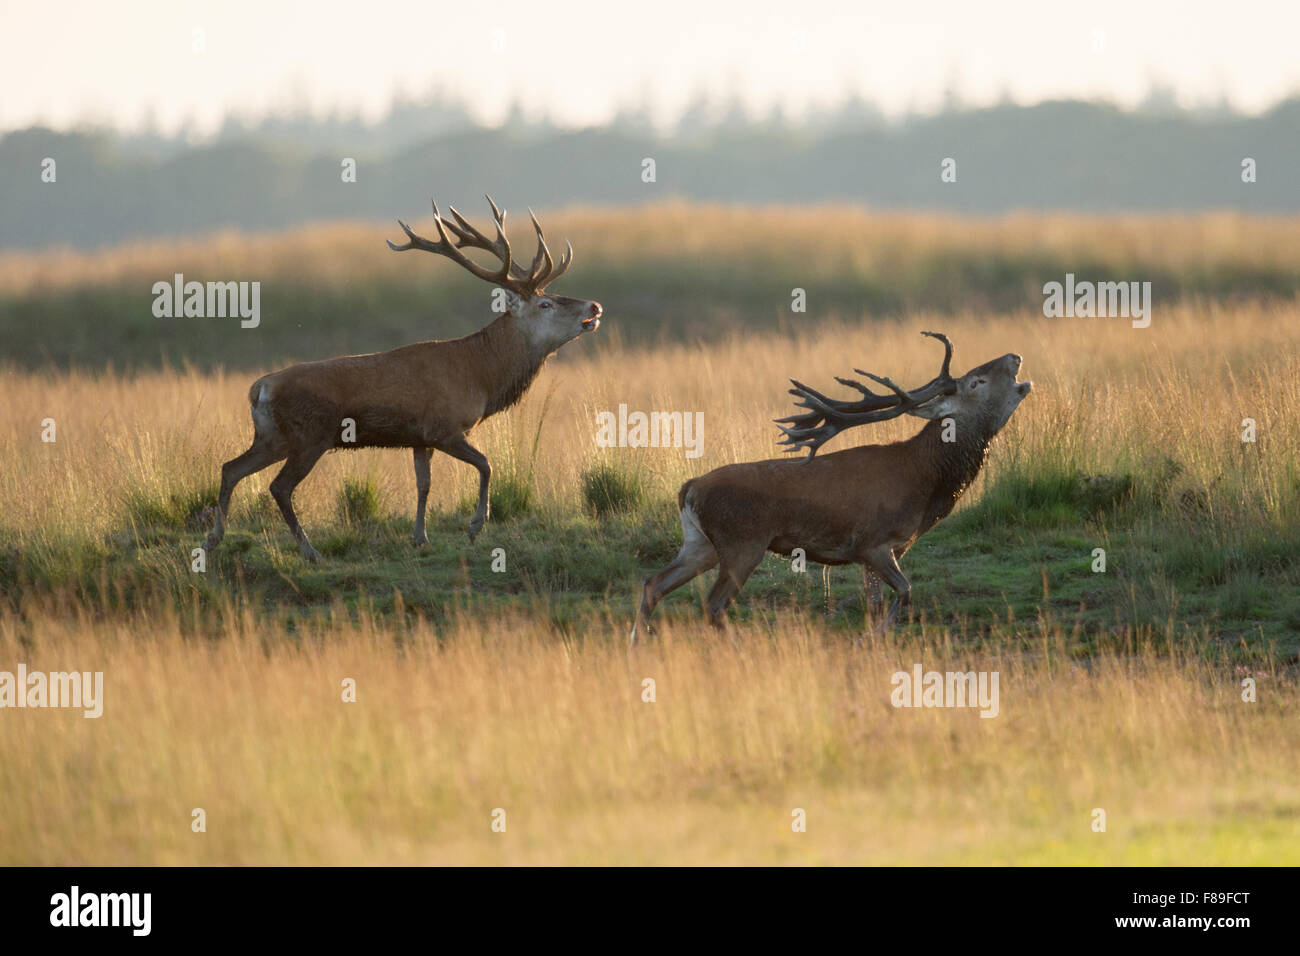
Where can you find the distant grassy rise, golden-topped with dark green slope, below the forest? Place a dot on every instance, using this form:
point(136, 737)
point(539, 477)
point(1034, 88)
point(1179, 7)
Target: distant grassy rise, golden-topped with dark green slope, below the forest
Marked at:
point(666, 272)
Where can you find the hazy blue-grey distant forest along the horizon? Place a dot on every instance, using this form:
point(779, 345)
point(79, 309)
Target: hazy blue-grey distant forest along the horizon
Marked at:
point(283, 171)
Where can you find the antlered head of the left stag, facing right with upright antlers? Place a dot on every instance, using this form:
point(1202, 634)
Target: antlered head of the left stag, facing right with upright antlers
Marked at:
point(548, 321)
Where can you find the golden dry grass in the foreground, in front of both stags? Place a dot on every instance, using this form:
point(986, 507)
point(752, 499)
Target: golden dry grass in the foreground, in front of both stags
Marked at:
point(449, 728)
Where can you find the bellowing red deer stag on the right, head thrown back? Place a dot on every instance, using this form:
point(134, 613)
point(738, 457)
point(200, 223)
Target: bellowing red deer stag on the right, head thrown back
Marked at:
point(864, 507)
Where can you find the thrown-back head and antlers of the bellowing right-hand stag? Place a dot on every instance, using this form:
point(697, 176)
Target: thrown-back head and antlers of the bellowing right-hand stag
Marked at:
point(980, 403)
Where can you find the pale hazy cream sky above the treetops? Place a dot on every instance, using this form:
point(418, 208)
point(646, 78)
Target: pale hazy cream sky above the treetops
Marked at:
point(579, 60)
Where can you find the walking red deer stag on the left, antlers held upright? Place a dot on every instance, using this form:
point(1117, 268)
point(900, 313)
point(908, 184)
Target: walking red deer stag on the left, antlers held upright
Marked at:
point(423, 397)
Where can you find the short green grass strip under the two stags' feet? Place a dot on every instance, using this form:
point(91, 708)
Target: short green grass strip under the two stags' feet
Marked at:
point(1171, 579)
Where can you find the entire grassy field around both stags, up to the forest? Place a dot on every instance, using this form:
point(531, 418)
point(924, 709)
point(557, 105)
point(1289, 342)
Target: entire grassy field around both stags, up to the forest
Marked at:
point(482, 689)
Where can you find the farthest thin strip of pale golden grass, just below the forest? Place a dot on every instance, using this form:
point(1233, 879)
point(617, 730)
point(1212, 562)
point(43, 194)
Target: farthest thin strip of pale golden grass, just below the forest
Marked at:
point(818, 237)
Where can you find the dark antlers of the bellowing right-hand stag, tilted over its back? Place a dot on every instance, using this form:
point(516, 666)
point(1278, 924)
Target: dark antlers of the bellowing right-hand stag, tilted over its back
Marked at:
point(830, 417)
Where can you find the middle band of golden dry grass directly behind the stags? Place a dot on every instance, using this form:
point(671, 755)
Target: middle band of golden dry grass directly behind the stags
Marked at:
point(1107, 399)
